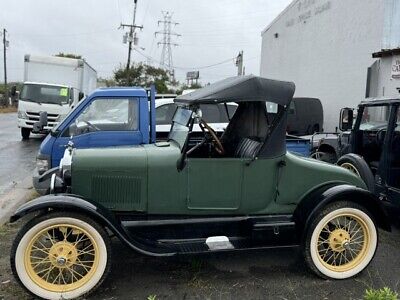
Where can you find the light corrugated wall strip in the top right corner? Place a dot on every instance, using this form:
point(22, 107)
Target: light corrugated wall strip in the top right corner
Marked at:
point(391, 34)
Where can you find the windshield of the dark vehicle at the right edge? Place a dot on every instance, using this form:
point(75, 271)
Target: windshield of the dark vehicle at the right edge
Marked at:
point(374, 118)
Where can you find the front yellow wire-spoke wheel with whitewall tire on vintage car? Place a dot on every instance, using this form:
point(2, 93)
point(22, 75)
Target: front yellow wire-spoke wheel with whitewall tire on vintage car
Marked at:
point(61, 255)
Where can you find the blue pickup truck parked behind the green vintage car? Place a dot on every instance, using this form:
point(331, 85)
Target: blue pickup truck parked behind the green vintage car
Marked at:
point(122, 116)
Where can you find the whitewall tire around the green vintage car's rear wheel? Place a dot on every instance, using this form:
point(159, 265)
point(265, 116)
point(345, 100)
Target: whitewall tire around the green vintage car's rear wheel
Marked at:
point(312, 247)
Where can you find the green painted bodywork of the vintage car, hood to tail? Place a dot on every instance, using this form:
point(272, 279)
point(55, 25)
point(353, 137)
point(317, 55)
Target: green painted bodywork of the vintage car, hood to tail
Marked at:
point(145, 178)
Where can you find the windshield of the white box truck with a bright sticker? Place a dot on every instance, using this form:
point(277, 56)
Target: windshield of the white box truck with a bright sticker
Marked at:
point(41, 93)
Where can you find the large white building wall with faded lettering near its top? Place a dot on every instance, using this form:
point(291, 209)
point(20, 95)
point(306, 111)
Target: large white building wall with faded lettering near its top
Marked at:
point(325, 47)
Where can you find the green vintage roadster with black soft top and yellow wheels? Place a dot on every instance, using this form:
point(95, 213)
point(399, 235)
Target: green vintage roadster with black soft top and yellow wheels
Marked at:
point(240, 191)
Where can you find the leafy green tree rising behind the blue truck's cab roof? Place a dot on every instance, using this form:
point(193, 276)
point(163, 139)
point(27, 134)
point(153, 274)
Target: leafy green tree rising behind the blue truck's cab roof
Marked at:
point(144, 75)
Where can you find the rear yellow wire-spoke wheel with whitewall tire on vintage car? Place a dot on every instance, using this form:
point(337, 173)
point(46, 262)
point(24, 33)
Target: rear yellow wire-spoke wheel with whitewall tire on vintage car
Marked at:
point(340, 241)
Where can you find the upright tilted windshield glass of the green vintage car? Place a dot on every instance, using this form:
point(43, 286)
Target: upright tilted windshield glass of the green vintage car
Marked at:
point(180, 125)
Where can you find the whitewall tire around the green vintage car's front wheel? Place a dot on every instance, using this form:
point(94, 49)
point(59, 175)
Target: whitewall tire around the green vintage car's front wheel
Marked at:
point(36, 222)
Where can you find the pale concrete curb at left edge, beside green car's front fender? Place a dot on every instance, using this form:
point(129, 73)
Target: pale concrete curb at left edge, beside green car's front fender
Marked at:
point(21, 193)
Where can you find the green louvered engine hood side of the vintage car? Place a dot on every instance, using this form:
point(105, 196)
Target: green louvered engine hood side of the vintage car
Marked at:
point(114, 177)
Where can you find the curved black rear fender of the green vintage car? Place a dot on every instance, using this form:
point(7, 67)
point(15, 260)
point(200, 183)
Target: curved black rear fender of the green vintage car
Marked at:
point(320, 197)
